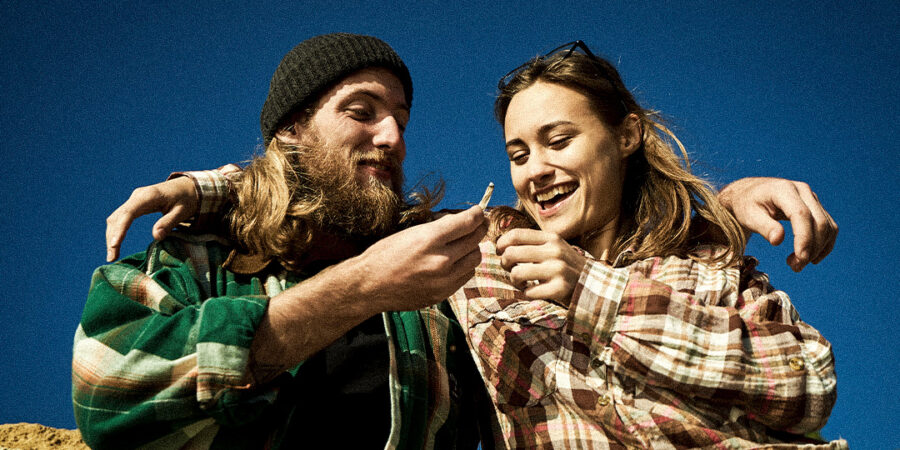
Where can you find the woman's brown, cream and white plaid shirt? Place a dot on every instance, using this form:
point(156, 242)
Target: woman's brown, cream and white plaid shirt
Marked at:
point(659, 353)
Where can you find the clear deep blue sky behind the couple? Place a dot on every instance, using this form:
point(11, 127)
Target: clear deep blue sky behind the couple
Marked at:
point(101, 97)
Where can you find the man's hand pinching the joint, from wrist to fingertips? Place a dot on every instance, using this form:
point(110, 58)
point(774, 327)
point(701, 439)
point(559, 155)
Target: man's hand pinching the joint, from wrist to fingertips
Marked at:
point(425, 264)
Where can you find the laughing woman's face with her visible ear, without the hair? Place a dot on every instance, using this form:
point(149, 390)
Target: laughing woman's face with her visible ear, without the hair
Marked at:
point(555, 148)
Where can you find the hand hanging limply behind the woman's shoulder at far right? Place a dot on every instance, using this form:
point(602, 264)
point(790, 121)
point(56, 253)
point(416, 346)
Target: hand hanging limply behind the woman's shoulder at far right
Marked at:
point(759, 203)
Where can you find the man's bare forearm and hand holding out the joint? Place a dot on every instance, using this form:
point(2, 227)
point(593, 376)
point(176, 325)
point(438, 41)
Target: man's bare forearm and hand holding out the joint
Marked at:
point(406, 271)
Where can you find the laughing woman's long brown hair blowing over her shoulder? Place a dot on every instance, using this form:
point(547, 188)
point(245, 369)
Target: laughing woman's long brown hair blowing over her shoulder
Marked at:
point(660, 194)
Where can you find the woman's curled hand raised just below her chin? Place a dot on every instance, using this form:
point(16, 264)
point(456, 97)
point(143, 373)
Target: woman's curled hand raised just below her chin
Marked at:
point(538, 256)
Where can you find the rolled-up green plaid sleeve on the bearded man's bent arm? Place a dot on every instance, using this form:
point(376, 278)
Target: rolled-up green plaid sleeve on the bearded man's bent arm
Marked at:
point(162, 350)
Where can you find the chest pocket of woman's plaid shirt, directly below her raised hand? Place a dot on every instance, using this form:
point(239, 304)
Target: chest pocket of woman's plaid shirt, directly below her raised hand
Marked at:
point(516, 339)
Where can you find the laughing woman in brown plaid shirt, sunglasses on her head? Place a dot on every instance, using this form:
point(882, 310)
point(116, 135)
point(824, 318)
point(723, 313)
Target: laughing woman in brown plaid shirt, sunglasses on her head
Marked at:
point(617, 324)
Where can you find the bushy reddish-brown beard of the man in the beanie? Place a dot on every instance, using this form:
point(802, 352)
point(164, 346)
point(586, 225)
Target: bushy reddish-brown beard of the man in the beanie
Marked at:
point(360, 210)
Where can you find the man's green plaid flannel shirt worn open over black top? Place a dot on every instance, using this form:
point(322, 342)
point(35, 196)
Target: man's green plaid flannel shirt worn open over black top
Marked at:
point(160, 359)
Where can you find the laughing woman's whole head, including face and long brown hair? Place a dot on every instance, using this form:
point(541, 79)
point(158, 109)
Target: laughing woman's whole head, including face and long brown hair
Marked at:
point(574, 113)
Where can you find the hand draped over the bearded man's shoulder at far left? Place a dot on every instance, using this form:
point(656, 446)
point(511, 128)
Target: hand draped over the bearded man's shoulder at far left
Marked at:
point(176, 199)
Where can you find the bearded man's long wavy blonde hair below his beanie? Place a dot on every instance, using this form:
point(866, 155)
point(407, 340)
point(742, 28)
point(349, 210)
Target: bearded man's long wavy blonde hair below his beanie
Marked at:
point(278, 210)
